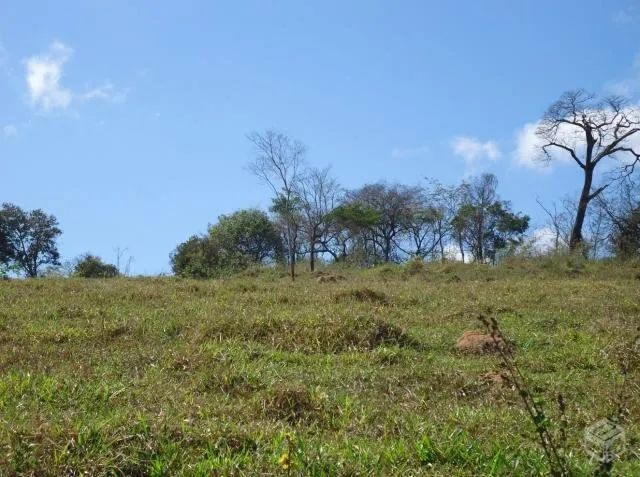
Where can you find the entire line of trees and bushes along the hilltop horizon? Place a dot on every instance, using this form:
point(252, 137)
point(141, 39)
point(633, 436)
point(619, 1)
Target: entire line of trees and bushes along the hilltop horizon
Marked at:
point(312, 217)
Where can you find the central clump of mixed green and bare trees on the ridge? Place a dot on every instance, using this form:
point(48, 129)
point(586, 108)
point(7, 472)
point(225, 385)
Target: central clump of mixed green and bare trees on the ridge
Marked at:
point(312, 217)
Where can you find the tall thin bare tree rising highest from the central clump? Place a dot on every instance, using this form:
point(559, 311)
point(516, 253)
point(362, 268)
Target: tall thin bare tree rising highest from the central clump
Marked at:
point(278, 163)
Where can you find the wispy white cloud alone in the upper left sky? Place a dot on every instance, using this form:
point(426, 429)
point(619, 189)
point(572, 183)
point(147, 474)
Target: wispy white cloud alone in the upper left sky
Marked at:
point(44, 75)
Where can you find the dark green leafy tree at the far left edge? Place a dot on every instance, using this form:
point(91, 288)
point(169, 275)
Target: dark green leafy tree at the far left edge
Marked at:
point(29, 238)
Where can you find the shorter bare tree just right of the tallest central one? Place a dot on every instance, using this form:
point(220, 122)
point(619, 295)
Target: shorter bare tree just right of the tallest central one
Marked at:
point(318, 193)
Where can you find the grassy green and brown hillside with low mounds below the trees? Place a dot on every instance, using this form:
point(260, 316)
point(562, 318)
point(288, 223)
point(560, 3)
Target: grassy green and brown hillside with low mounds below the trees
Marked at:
point(357, 376)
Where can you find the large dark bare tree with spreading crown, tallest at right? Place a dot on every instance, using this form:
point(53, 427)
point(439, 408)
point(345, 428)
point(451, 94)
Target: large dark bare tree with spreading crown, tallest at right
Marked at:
point(590, 131)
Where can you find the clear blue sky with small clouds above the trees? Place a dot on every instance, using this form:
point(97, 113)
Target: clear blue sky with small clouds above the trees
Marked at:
point(127, 120)
